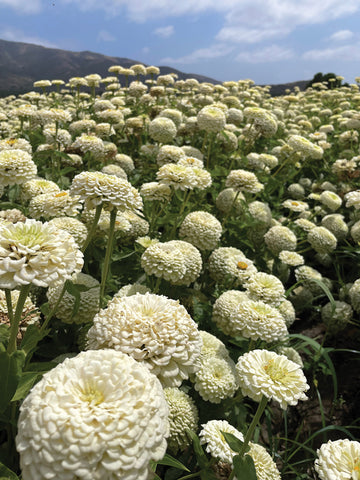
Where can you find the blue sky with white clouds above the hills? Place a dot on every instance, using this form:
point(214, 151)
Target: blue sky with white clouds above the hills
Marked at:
point(269, 41)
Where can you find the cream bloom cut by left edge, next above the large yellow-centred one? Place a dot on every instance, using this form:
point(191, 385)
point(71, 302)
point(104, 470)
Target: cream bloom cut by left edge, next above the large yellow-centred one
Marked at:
point(16, 167)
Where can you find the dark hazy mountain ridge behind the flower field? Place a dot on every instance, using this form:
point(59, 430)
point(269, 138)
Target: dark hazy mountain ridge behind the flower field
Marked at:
point(21, 64)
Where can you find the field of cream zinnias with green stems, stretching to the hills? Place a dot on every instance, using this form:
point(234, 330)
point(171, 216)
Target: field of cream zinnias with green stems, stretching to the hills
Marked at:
point(180, 281)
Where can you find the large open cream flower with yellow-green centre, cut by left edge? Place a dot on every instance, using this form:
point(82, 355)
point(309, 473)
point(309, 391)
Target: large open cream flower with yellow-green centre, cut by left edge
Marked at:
point(33, 252)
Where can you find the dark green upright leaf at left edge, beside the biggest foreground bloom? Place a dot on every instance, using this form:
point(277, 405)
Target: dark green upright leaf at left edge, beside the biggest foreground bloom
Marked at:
point(10, 373)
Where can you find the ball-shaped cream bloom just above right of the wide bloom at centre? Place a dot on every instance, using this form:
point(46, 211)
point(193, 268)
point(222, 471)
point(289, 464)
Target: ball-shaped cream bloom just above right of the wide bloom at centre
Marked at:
point(201, 229)
